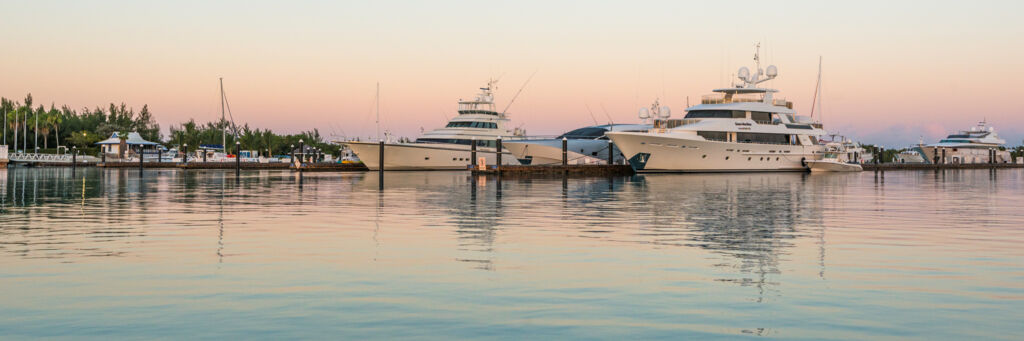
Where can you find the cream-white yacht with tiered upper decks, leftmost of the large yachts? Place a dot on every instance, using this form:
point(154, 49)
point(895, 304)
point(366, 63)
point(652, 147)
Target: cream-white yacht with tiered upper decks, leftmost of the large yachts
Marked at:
point(449, 148)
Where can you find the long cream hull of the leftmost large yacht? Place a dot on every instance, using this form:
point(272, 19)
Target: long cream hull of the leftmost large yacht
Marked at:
point(424, 156)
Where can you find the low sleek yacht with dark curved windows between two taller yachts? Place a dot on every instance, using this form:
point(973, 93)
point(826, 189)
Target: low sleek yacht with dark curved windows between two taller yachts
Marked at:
point(585, 146)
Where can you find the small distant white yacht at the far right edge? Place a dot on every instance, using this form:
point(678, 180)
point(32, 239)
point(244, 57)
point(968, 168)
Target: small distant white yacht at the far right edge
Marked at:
point(976, 146)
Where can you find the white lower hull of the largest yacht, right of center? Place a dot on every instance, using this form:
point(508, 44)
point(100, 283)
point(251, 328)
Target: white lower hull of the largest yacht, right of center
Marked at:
point(666, 153)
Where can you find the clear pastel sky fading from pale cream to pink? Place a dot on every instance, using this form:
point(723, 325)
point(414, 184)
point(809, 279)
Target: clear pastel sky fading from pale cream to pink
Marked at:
point(893, 72)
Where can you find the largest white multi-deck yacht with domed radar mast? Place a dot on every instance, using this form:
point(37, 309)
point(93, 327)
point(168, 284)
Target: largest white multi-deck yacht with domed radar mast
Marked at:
point(739, 130)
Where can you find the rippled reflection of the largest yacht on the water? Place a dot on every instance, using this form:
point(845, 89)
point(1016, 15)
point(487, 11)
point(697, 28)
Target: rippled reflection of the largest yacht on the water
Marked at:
point(752, 220)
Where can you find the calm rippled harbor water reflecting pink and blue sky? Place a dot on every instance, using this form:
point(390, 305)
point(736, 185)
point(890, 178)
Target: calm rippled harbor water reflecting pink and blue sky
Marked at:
point(174, 254)
